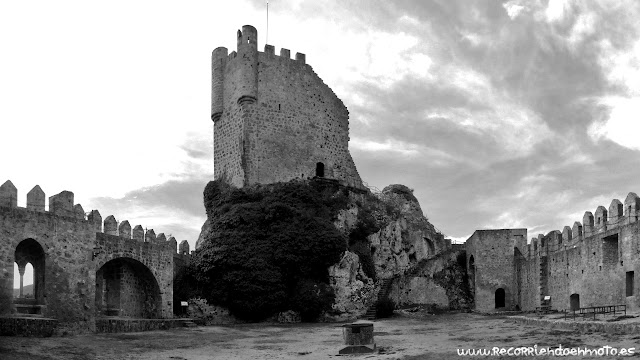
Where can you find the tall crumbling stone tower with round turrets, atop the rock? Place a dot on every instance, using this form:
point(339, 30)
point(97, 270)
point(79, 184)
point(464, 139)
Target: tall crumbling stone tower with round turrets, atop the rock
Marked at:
point(275, 119)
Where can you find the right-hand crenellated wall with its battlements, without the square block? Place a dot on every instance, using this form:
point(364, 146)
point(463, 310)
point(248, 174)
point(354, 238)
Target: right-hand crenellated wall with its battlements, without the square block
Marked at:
point(590, 259)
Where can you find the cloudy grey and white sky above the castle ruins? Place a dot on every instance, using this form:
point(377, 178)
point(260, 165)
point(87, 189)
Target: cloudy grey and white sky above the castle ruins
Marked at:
point(499, 114)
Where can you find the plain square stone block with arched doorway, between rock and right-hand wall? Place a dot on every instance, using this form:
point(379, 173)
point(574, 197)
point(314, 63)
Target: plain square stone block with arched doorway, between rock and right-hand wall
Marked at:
point(494, 261)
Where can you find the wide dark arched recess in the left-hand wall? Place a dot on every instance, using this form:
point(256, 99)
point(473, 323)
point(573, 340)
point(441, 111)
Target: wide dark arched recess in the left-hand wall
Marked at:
point(126, 287)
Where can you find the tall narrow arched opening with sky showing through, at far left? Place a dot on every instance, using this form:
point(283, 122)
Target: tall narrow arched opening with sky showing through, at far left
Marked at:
point(30, 252)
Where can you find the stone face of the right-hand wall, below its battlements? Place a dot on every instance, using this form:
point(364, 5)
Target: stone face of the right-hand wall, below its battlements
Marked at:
point(594, 268)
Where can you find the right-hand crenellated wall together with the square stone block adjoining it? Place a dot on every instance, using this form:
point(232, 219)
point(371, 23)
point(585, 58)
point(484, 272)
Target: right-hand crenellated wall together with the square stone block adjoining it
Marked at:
point(593, 263)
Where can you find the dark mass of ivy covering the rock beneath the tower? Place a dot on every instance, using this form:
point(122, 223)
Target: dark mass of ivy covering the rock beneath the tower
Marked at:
point(270, 248)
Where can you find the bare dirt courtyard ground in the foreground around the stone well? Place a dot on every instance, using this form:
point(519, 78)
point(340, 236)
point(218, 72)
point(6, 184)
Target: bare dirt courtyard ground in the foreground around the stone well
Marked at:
point(402, 337)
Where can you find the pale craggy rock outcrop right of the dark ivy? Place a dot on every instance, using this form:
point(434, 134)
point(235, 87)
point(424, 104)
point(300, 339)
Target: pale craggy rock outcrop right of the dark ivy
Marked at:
point(386, 235)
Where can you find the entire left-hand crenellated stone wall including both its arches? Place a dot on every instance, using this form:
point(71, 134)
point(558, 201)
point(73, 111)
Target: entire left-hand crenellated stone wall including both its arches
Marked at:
point(81, 273)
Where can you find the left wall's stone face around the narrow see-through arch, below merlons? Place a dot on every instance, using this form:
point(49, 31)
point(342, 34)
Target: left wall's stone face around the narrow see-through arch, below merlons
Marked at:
point(67, 242)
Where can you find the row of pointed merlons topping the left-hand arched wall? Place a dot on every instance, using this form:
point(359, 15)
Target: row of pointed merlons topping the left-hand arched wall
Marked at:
point(62, 205)
